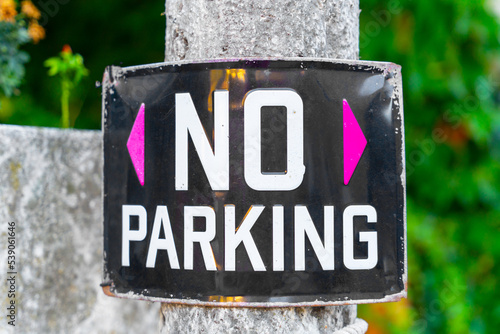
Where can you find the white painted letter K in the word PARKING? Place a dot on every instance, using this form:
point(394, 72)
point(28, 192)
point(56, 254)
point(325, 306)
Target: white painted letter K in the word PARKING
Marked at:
point(234, 237)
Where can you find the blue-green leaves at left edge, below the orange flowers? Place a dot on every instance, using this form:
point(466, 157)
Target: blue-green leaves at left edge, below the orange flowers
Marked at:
point(12, 36)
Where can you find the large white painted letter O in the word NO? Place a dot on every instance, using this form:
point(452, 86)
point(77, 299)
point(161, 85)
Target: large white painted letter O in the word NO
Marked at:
point(294, 174)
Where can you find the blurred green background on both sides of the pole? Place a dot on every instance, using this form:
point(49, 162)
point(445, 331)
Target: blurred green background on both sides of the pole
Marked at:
point(450, 54)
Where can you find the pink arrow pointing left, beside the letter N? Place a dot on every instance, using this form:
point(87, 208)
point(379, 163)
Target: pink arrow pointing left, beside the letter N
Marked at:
point(135, 145)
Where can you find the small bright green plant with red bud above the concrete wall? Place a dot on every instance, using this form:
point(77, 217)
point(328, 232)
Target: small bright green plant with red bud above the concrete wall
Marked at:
point(70, 69)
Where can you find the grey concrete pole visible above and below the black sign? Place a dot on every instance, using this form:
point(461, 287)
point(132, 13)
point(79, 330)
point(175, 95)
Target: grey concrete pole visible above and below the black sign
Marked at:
point(208, 29)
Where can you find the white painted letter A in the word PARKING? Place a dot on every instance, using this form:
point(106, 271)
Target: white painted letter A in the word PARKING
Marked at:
point(162, 219)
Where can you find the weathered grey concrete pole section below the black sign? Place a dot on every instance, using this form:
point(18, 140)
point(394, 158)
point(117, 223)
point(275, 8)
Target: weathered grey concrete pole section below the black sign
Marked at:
point(311, 320)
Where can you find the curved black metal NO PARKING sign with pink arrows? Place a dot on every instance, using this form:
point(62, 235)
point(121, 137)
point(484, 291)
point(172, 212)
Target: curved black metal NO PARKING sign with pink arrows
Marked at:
point(255, 182)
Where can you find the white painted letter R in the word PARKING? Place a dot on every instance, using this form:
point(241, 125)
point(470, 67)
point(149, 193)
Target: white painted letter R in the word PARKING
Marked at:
point(204, 238)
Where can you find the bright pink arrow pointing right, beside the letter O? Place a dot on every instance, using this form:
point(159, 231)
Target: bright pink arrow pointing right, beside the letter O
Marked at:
point(354, 143)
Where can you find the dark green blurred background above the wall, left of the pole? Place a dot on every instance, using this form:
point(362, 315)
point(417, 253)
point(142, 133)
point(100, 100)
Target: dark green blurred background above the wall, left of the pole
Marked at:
point(107, 33)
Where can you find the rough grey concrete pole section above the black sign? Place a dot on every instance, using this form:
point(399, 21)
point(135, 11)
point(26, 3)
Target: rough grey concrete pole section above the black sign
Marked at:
point(262, 28)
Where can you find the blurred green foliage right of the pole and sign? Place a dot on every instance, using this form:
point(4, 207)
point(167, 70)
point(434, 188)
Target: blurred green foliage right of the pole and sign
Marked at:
point(450, 53)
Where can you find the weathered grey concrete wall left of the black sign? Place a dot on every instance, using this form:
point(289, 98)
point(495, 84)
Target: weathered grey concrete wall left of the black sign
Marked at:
point(50, 185)
